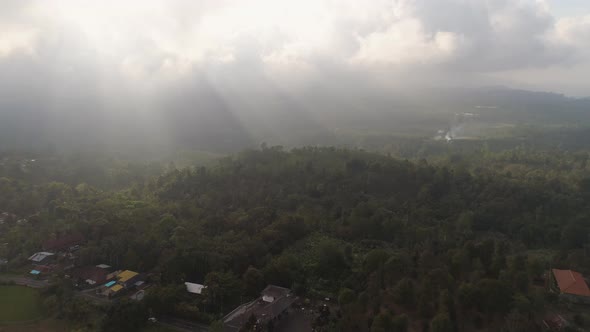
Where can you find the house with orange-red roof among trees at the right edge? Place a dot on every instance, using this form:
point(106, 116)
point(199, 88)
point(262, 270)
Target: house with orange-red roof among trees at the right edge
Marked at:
point(571, 285)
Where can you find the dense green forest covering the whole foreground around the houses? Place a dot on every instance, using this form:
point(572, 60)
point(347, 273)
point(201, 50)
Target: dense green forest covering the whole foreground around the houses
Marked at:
point(433, 237)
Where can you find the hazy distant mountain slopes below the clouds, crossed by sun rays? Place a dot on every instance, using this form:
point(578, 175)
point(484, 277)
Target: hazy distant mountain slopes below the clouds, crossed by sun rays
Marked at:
point(207, 119)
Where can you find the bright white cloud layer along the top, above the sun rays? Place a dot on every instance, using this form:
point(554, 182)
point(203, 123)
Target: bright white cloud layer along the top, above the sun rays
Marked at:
point(168, 39)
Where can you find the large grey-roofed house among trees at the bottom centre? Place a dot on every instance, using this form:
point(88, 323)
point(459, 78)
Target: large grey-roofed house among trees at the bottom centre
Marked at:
point(273, 303)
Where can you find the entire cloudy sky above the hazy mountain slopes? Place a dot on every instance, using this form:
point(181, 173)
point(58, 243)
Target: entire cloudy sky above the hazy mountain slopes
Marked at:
point(133, 56)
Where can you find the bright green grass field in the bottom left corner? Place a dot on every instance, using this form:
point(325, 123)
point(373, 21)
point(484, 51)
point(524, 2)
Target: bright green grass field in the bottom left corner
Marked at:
point(19, 304)
